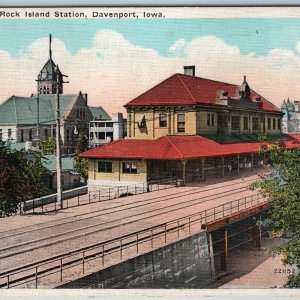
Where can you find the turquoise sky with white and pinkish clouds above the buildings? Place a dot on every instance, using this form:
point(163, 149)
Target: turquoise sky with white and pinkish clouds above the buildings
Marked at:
point(116, 60)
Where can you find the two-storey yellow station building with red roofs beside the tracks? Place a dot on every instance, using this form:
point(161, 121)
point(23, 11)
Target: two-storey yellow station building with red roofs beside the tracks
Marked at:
point(189, 128)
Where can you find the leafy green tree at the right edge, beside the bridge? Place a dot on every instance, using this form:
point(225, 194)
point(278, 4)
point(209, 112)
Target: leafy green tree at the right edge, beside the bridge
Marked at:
point(283, 186)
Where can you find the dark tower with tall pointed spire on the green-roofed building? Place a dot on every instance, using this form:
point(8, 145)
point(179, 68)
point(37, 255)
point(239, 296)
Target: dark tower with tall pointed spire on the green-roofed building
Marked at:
point(47, 78)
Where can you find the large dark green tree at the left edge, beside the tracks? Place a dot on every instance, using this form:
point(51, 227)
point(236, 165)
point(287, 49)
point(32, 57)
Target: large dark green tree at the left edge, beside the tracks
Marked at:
point(22, 177)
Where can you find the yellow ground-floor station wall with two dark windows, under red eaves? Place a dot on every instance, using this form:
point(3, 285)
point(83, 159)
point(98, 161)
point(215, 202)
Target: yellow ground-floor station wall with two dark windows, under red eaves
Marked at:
point(117, 175)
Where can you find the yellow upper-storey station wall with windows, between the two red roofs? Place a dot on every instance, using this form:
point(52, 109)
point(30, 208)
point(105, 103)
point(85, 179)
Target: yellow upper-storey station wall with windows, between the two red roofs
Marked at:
point(195, 122)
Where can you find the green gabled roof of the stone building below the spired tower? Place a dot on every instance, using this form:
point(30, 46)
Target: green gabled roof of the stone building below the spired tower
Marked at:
point(23, 110)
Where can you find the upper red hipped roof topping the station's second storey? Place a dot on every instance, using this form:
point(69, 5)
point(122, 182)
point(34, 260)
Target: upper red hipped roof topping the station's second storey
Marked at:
point(182, 89)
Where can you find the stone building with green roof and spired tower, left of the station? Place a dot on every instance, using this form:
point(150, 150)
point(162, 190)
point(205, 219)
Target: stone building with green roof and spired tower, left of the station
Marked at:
point(33, 118)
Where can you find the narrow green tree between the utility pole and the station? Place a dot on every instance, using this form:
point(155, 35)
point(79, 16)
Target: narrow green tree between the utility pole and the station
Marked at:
point(81, 164)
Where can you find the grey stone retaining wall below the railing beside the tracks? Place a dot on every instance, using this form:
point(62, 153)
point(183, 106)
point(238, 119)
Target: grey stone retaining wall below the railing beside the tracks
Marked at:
point(184, 264)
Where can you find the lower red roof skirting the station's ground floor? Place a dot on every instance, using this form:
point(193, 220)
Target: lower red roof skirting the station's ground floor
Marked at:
point(176, 147)
